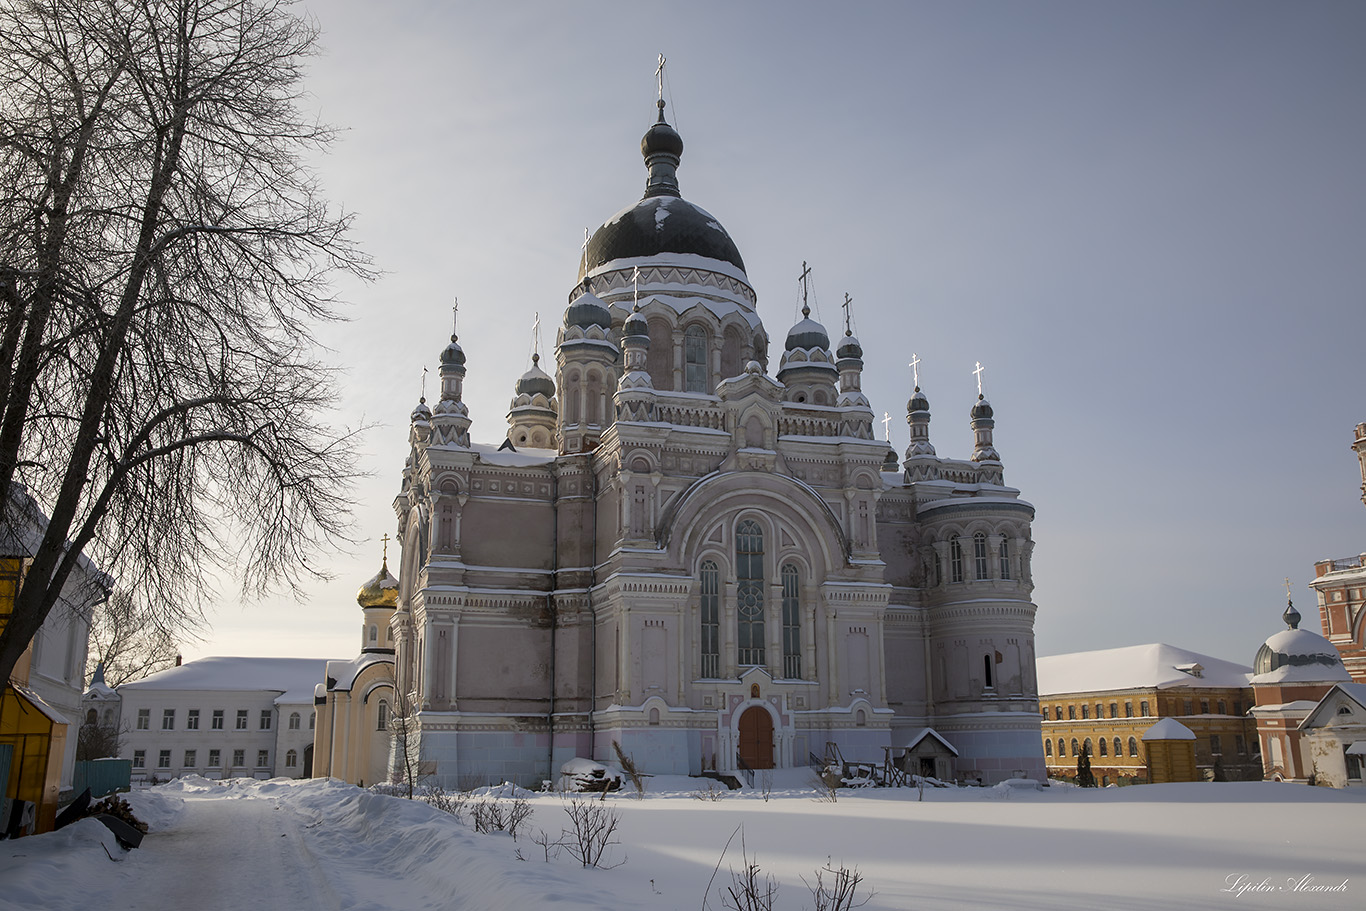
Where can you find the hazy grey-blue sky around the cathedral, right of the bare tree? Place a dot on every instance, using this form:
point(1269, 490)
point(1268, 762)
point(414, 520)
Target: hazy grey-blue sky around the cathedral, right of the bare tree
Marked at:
point(1147, 222)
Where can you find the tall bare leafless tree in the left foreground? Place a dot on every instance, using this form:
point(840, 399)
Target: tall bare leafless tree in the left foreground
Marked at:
point(165, 253)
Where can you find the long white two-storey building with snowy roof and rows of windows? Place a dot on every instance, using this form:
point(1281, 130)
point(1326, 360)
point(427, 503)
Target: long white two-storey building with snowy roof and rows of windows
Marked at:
point(222, 719)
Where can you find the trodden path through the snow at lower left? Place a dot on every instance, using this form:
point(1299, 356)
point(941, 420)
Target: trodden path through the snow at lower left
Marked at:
point(230, 856)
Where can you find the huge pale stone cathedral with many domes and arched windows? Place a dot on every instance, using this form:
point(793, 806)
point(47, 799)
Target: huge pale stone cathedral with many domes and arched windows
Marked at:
point(712, 565)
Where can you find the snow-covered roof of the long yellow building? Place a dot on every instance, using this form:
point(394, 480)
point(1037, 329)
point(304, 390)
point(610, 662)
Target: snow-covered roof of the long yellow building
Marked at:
point(1136, 667)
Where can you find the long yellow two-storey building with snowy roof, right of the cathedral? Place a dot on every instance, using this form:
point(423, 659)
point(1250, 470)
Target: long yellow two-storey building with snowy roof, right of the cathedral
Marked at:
point(1110, 699)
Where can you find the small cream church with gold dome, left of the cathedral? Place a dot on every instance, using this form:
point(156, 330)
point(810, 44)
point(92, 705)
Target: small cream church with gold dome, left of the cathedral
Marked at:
point(356, 704)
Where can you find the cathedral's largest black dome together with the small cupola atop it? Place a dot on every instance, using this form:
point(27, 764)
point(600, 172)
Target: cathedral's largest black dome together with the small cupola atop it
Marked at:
point(663, 221)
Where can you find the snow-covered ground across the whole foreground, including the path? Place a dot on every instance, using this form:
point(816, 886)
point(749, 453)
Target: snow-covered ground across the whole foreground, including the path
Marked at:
point(297, 846)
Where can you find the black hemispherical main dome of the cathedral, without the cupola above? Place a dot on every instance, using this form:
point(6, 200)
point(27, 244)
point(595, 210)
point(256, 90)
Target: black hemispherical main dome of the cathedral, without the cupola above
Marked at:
point(660, 225)
